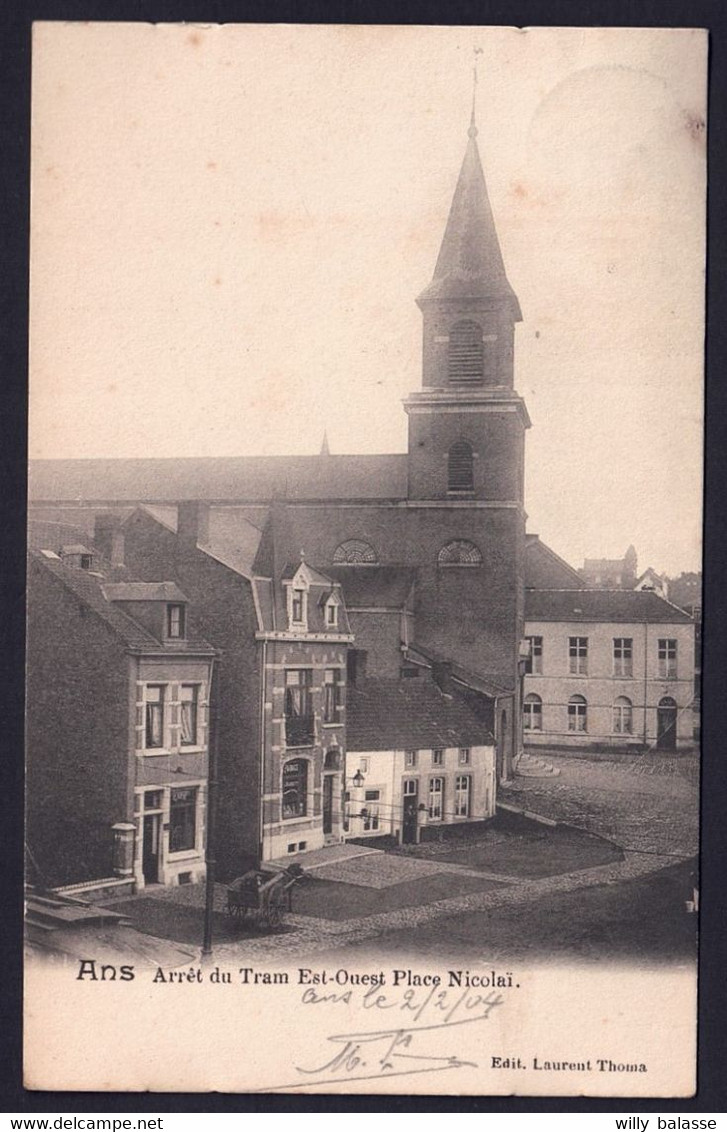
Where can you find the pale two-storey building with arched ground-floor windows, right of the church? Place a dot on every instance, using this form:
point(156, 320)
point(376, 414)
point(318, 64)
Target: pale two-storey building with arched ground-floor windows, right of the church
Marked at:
point(608, 668)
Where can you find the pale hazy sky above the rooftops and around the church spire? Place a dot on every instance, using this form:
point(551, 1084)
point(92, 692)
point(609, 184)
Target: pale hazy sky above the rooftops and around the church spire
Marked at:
point(230, 227)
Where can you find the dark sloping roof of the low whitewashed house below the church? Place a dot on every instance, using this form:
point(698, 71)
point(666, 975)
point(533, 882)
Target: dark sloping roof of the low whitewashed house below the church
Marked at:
point(409, 715)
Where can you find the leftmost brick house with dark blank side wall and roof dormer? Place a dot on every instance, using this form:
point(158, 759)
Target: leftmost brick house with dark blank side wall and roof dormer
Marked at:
point(118, 719)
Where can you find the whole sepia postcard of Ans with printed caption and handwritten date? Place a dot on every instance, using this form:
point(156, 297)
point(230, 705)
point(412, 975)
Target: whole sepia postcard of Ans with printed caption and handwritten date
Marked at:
point(365, 565)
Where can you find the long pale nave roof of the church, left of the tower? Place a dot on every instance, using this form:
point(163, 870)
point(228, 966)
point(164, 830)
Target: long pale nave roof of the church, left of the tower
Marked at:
point(219, 478)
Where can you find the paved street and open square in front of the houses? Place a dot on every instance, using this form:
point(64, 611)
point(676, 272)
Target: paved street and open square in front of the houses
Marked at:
point(521, 889)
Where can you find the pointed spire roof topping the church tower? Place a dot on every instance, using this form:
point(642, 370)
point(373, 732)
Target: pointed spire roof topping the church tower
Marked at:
point(471, 262)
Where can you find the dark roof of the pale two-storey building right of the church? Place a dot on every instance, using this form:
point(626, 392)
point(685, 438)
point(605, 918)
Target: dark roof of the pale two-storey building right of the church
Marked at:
point(601, 606)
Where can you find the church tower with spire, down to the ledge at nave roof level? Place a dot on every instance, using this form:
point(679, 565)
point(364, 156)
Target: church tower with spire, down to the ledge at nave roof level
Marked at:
point(467, 424)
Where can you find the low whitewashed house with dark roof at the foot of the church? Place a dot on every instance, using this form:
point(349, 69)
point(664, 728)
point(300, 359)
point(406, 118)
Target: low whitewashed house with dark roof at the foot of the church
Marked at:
point(418, 759)
